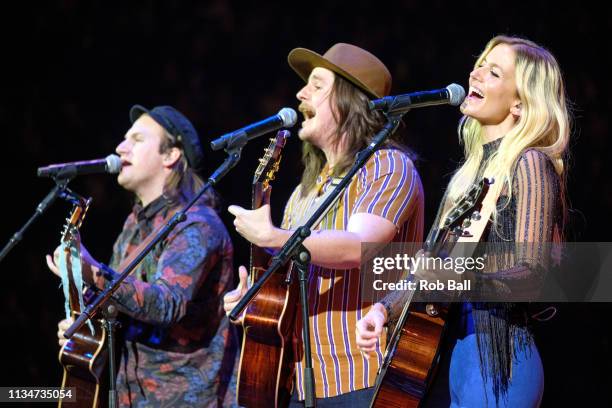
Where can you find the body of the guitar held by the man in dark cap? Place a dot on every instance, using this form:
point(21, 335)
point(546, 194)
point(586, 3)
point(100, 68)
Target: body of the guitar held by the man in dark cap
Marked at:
point(84, 359)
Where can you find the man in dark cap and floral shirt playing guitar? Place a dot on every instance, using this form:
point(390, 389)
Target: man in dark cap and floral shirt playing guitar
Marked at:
point(179, 350)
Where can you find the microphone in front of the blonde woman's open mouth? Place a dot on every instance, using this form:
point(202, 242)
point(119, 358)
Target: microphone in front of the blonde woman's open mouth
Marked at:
point(452, 95)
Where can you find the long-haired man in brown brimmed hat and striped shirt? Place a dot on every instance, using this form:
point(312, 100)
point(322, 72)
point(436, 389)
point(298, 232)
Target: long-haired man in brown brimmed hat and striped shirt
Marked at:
point(383, 203)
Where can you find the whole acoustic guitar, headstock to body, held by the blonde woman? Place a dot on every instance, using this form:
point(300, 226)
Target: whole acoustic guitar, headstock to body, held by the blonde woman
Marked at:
point(413, 350)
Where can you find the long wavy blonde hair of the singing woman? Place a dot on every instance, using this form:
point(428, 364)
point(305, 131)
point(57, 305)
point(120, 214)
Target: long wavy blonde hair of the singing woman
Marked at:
point(544, 123)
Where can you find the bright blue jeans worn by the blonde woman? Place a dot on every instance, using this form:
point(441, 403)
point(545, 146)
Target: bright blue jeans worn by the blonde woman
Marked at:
point(468, 389)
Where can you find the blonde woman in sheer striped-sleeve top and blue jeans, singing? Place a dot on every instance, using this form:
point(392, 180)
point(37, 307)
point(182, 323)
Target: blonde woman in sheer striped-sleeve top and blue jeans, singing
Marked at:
point(515, 128)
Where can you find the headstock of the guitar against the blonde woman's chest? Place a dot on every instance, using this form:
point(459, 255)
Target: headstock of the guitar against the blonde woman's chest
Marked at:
point(467, 208)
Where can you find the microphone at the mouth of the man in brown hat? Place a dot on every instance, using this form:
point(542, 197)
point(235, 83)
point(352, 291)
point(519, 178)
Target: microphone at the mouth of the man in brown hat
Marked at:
point(285, 118)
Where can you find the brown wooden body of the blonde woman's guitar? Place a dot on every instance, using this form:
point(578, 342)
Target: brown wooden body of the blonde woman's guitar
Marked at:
point(416, 354)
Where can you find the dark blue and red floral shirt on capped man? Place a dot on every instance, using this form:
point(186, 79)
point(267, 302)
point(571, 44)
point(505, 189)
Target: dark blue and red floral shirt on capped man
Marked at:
point(179, 349)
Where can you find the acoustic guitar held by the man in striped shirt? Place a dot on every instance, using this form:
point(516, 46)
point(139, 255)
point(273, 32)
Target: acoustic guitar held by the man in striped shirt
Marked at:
point(267, 362)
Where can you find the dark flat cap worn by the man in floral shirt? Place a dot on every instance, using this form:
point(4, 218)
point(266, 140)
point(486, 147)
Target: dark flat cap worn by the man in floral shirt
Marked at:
point(178, 126)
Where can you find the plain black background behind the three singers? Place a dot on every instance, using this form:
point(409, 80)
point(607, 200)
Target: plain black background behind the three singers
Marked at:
point(72, 69)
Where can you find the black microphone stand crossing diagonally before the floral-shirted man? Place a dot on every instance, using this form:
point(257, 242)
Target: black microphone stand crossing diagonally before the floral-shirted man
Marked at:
point(94, 307)
